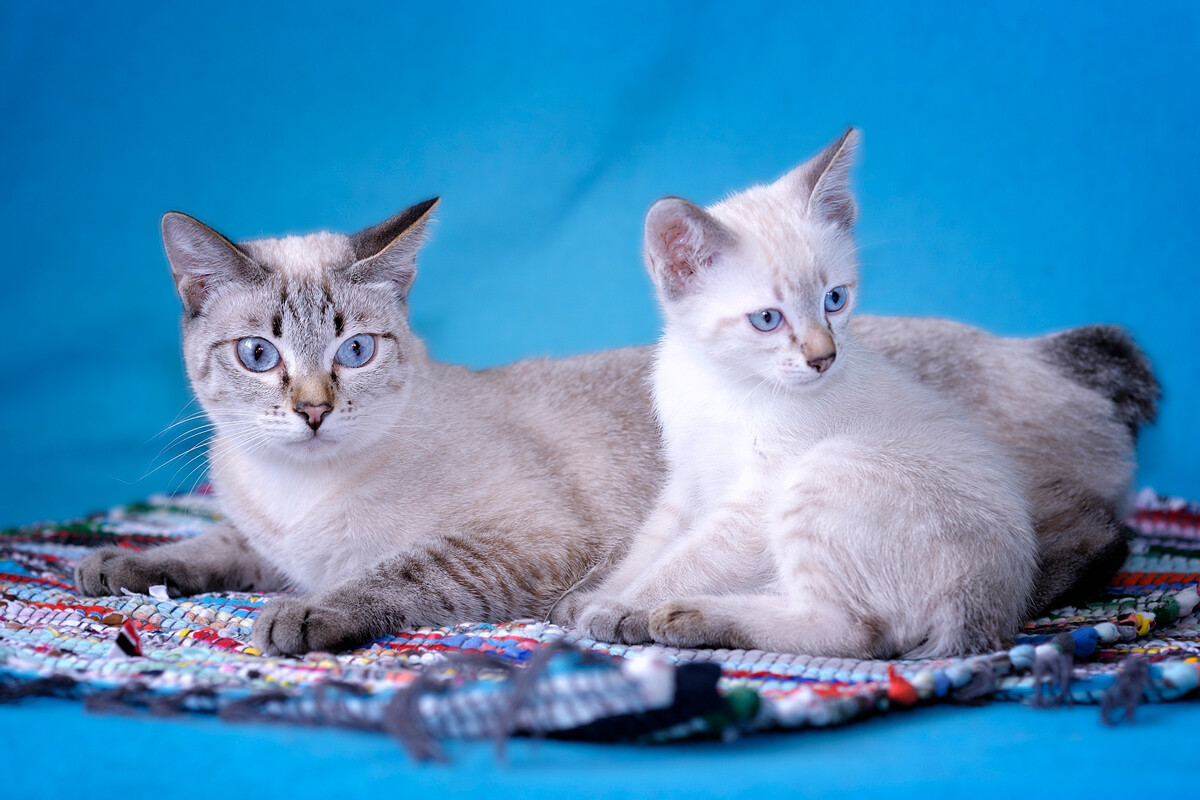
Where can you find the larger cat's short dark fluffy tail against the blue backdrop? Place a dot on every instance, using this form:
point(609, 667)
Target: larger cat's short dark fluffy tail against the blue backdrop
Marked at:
point(1106, 359)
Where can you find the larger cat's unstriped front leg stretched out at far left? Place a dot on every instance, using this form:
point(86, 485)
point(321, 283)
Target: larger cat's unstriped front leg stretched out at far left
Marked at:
point(220, 558)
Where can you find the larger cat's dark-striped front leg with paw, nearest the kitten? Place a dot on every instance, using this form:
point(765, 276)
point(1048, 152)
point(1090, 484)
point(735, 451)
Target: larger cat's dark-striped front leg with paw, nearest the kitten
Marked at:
point(458, 578)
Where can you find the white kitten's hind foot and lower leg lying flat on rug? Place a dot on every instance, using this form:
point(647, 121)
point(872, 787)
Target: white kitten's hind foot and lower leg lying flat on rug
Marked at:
point(771, 623)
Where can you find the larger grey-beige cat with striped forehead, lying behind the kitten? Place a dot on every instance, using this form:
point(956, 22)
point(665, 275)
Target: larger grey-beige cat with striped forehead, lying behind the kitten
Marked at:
point(406, 492)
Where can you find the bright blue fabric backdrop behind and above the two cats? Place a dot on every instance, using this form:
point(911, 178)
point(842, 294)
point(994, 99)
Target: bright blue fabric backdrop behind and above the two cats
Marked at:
point(1027, 167)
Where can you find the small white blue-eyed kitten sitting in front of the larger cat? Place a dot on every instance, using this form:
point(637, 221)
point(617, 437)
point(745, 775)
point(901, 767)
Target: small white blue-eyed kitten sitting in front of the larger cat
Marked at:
point(820, 500)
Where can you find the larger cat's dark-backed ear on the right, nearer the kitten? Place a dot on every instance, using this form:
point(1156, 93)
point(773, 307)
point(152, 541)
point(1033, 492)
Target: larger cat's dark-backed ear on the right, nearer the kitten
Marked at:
point(388, 252)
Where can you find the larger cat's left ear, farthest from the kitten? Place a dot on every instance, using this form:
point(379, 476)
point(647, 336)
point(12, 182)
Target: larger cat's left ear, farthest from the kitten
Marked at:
point(201, 258)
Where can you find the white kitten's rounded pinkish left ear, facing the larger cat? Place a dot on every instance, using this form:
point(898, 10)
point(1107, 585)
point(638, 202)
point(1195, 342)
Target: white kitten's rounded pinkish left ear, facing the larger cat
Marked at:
point(682, 242)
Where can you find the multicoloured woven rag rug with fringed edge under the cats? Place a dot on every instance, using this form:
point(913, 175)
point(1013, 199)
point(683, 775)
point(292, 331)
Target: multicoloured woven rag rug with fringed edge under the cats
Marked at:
point(1138, 642)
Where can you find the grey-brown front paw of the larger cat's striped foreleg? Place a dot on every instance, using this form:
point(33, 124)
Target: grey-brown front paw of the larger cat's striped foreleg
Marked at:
point(293, 627)
